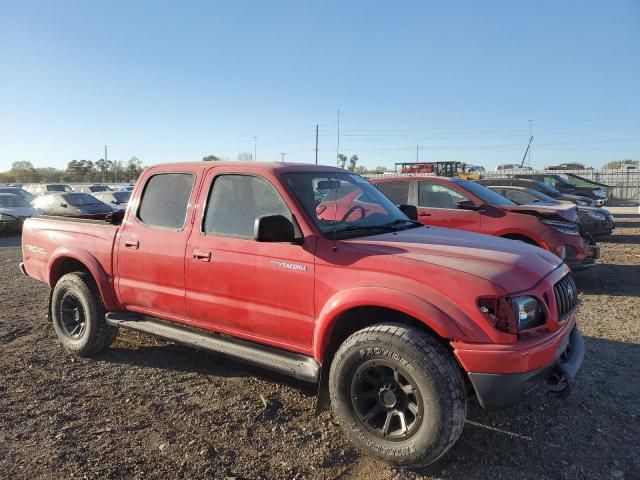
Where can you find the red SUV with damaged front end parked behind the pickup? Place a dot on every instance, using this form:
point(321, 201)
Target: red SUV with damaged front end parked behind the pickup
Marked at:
point(467, 205)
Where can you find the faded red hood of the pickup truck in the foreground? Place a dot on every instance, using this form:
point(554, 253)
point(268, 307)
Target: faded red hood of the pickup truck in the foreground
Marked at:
point(510, 264)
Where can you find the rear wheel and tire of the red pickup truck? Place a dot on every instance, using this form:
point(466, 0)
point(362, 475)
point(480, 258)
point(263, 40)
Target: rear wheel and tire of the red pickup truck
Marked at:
point(78, 315)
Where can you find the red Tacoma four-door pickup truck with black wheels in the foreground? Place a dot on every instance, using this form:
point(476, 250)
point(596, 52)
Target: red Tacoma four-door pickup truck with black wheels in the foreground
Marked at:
point(396, 322)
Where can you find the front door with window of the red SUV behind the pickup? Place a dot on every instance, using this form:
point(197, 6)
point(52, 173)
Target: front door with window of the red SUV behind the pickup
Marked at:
point(437, 205)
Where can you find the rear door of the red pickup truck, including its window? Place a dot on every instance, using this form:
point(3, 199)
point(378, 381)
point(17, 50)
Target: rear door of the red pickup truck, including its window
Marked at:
point(151, 244)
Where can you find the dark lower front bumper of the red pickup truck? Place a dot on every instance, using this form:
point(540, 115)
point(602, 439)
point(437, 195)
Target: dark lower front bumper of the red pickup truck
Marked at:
point(505, 389)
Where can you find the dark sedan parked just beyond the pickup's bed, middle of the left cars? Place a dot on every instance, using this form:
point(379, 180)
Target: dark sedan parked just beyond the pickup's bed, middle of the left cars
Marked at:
point(81, 205)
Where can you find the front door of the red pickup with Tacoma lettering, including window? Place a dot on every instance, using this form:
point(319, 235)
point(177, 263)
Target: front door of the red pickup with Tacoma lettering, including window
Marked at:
point(257, 290)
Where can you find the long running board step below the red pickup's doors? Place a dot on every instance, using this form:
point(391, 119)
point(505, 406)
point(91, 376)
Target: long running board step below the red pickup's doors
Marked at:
point(292, 364)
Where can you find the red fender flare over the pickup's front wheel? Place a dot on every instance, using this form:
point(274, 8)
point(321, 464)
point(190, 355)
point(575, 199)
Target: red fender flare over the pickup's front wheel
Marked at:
point(397, 300)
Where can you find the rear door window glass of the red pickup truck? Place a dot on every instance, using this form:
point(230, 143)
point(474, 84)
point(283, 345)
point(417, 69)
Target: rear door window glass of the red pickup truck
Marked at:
point(165, 200)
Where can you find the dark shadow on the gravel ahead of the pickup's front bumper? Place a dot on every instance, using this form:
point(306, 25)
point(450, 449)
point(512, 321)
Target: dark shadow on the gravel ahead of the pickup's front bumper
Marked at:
point(580, 437)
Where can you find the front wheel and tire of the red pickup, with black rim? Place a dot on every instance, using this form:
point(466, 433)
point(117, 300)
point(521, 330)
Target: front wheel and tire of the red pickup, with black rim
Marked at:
point(429, 390)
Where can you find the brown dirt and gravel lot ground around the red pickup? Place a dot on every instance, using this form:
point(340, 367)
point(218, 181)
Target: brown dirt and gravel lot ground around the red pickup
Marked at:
point(147, 409)
